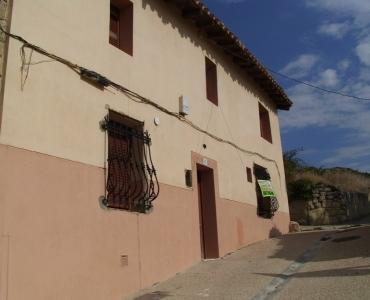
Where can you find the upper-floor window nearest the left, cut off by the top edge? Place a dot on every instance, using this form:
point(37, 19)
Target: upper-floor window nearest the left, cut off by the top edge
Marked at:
point(121, 25)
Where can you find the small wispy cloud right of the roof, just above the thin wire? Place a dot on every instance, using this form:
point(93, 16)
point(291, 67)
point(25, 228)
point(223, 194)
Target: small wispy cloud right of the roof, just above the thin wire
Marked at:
point(301, 66)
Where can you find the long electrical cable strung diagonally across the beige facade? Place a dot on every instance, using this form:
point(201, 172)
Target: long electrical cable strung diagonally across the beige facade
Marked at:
point(131, 94)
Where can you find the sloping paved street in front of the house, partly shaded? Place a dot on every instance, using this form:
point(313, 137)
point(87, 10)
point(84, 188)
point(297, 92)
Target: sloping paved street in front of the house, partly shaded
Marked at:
point(328, 264)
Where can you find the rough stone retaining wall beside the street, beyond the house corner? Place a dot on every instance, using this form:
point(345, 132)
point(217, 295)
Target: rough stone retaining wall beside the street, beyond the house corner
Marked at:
point(329, 205)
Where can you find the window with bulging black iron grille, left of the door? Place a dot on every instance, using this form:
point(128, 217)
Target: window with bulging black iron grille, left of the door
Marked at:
point(132, 182)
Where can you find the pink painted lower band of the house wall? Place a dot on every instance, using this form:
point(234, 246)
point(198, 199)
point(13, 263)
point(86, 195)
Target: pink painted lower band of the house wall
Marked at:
point(58, 242)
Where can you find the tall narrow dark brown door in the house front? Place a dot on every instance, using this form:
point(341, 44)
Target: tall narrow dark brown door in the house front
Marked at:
point(207, 213)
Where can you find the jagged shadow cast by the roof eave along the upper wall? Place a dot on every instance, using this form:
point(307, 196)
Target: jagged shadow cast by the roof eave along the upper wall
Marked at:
point(172, 16)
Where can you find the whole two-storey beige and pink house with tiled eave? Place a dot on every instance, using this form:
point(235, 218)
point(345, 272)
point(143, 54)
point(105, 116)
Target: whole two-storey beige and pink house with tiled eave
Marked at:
point(70, 148)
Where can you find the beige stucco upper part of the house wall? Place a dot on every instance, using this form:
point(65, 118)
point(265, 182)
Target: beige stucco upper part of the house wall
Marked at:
point(58, 114)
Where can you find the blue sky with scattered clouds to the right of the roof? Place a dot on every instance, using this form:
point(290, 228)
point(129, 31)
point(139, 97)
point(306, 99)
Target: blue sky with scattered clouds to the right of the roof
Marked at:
point(326, 43)
